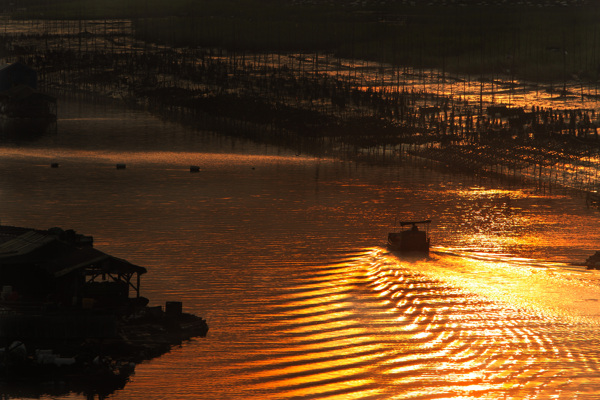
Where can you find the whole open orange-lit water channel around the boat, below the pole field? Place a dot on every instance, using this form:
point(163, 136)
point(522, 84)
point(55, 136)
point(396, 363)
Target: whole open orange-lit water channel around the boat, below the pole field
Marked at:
point(283, 255)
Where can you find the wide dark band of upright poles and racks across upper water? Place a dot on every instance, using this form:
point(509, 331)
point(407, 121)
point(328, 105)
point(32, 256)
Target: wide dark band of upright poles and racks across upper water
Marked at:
point(321, 103)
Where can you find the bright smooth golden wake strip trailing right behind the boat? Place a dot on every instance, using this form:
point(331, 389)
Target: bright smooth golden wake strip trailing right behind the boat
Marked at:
point(552, 288)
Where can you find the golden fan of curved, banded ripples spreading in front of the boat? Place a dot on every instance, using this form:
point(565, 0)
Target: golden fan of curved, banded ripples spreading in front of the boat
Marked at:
point(374, 327)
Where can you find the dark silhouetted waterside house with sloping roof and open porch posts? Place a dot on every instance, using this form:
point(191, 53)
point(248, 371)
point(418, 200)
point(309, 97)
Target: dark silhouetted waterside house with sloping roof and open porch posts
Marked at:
point(61, 268)
